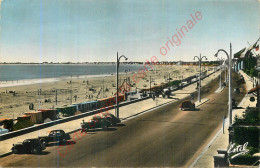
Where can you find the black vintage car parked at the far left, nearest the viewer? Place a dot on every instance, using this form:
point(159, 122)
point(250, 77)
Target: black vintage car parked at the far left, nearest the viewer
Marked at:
point(28, 146)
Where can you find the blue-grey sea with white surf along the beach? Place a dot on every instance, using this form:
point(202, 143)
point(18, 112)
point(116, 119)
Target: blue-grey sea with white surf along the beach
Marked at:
point(24, 74)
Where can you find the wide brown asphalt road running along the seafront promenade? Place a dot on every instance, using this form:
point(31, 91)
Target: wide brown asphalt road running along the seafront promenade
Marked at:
point(166, 136)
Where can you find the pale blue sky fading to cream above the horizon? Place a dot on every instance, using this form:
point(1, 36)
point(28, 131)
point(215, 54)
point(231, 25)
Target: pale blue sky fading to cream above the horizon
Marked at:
point(92, 31)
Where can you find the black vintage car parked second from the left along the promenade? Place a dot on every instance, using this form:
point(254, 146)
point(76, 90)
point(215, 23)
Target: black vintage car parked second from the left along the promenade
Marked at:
point(55, 136)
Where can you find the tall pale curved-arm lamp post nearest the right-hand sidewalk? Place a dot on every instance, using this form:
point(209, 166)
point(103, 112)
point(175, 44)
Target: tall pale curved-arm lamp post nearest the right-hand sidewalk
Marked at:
point(229, 82)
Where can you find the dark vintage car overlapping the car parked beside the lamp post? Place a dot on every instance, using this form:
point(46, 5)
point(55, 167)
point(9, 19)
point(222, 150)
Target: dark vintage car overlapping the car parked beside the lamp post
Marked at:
point(95, 122)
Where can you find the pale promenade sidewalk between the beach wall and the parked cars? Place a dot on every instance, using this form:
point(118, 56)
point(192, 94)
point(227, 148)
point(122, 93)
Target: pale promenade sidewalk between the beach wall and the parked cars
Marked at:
point(125, 112)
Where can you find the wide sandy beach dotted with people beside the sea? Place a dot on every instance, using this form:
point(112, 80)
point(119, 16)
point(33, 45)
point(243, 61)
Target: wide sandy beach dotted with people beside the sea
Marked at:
point(43, 92)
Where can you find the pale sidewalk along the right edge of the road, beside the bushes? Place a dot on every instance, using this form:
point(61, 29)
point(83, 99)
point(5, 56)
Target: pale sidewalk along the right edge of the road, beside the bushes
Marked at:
point(220, 141)
